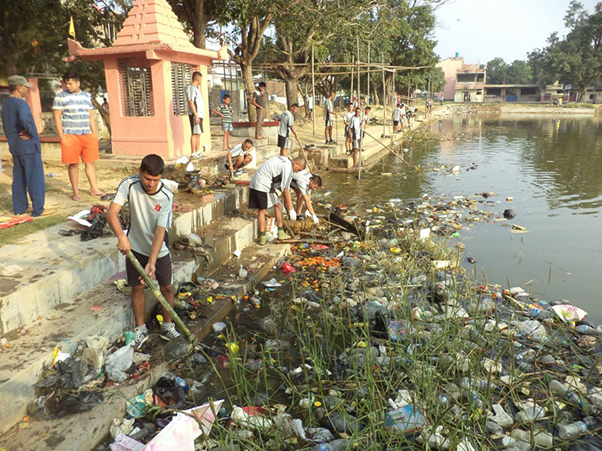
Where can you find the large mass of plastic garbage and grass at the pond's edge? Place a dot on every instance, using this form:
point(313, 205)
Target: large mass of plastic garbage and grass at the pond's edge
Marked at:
point(385, 343)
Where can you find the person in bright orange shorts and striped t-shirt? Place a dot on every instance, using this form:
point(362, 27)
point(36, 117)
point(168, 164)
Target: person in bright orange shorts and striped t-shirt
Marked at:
point(76, 127)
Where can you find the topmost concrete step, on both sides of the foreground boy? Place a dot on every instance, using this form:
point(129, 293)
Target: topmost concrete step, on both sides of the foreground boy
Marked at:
point(57, 269)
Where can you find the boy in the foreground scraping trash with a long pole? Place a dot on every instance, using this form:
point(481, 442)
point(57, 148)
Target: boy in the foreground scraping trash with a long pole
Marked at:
point(151, 204)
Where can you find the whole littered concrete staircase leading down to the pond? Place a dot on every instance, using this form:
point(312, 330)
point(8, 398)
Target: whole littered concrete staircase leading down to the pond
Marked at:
point(64, 292)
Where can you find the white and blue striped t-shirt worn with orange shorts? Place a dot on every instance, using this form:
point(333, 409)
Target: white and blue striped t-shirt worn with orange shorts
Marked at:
point(76, 107)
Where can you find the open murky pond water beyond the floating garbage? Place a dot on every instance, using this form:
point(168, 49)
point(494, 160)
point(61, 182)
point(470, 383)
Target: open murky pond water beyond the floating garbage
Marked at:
point(551, 167)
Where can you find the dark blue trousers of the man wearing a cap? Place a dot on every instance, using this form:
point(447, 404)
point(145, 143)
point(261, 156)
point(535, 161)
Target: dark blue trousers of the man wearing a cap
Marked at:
point(28, 176)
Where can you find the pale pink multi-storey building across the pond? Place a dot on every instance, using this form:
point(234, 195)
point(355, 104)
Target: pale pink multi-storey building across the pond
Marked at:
point(463, 82)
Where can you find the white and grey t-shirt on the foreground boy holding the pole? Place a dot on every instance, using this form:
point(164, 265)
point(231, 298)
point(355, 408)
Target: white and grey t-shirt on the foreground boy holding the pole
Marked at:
point(148, 211)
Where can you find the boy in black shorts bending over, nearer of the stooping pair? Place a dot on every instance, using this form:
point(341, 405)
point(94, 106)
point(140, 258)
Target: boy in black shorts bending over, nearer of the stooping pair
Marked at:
point(276, 173)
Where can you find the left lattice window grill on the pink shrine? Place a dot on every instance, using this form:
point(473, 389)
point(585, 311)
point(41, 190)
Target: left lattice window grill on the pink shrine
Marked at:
point(136, 88)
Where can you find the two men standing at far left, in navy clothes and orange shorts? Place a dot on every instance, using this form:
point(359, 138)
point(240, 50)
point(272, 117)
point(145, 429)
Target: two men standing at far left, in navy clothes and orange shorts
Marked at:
point(75, 123)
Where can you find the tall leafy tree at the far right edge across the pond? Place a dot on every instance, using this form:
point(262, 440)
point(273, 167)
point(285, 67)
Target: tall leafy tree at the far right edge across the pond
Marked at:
point(577, 58)
